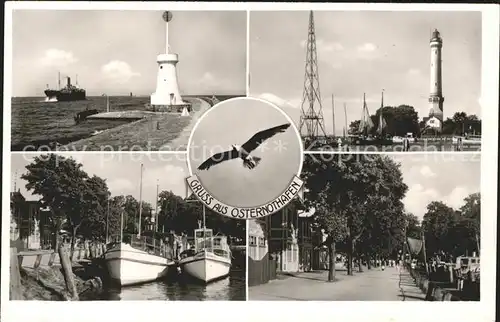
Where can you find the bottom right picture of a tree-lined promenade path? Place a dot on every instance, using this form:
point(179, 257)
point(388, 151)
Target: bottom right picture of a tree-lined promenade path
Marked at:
point(373, 227)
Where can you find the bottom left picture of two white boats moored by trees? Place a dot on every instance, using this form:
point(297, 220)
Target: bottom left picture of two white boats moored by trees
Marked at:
point(122, 226)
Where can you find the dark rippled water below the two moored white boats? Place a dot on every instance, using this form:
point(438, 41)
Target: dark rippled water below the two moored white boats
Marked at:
point(231, 288)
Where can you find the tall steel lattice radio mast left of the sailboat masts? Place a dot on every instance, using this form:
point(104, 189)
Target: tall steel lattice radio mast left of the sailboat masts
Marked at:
point(311, 119)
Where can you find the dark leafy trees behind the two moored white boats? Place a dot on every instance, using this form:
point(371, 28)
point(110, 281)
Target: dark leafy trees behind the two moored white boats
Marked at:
point(83, 205)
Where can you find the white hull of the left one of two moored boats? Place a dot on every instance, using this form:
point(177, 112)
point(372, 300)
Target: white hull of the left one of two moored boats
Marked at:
point(128, 266)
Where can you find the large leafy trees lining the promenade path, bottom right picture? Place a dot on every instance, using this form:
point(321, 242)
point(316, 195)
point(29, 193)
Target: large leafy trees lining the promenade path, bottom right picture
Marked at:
point(358, 204)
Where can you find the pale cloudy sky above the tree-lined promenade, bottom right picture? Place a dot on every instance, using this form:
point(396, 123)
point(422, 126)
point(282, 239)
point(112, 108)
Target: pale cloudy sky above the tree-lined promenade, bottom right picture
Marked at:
point(439, 177)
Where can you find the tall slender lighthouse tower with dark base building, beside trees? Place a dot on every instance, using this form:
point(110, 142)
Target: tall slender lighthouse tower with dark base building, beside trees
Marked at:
point(436, 98)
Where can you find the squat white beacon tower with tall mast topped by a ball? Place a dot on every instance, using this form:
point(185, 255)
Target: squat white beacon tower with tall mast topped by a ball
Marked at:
point(167, 89)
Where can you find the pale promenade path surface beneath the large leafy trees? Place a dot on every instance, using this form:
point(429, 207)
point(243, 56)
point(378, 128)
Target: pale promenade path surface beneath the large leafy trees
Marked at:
point(370, 285)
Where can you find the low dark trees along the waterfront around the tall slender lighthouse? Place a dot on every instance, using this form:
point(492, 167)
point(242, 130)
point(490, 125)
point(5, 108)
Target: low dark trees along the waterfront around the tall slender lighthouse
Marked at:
point(403, 119)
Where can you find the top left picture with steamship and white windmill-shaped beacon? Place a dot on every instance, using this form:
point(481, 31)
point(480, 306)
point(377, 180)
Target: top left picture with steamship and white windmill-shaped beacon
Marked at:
point(111, 80)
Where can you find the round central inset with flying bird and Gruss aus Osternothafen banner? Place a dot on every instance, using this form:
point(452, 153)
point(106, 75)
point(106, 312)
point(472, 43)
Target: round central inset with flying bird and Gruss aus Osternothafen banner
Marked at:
point(245, 153)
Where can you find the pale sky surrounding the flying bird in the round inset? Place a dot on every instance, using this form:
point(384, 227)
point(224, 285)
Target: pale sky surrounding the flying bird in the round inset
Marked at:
point(234, 122)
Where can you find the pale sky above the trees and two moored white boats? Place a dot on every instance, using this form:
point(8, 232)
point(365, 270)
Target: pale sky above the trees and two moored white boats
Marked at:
point(122, 172)
